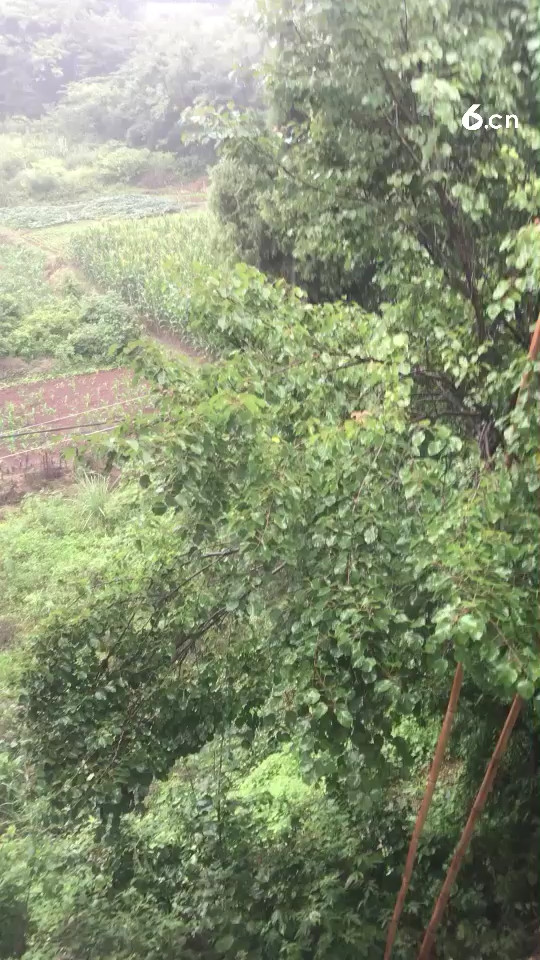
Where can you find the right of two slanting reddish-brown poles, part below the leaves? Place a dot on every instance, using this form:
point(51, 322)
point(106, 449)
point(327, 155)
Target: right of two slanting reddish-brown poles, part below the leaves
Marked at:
point(463, 845)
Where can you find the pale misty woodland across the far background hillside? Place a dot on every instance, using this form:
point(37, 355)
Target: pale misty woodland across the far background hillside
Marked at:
point(101, 70)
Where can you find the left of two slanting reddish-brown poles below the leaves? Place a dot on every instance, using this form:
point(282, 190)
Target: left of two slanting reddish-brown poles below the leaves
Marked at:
point(424, 807)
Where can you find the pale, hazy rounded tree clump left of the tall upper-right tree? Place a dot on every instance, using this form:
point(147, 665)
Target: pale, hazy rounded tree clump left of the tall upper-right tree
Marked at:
point(168, 71)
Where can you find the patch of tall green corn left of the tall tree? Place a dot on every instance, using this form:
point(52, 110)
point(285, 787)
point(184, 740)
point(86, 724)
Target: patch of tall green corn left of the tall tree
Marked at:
point(151, 264)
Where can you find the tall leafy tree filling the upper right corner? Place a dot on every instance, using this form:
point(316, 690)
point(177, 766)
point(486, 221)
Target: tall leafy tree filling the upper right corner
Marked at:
point(365, 182)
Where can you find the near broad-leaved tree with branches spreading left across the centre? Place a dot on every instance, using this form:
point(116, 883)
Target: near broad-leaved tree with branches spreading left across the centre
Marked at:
point(342, 565)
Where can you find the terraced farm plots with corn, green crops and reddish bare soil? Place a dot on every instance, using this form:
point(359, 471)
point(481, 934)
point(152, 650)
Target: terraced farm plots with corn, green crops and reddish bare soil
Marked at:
point(63, 321)
